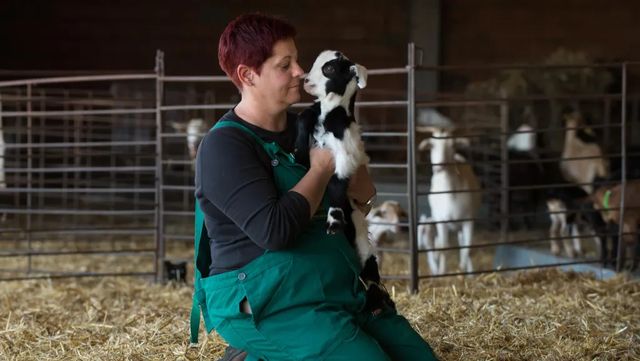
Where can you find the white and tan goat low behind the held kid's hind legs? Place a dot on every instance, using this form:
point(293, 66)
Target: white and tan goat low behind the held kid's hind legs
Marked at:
point(384, 226)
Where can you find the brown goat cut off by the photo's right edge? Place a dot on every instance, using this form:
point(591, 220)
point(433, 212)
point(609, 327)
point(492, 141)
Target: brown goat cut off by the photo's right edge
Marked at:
point(607, 201)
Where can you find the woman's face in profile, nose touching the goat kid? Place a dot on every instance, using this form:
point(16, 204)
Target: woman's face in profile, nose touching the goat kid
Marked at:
point(278, 84)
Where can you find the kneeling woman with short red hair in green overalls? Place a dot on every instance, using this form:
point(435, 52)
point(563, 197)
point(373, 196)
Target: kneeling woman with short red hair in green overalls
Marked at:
point(273, 282)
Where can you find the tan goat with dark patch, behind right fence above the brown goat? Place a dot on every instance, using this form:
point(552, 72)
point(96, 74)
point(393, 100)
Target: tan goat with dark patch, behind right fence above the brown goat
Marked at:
point(581, 143)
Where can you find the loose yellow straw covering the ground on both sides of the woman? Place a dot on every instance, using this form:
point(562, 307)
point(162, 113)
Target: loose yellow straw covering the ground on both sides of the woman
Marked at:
point(535, 315)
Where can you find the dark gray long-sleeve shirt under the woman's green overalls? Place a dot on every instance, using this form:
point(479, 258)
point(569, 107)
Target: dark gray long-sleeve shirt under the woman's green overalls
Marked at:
point(243, 211)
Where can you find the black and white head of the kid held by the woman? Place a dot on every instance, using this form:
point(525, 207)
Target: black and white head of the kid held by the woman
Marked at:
point(332, 72)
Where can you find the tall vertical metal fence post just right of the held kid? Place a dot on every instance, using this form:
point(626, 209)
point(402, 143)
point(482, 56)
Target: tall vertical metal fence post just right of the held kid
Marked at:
point(410, 166)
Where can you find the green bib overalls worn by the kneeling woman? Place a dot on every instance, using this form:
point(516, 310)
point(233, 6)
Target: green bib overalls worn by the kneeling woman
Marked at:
point(306, 301)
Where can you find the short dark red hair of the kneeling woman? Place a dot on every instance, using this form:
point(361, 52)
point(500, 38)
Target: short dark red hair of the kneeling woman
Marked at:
point(249, 40)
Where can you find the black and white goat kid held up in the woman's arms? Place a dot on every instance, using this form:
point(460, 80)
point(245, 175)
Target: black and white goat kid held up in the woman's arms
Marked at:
point(330, 122)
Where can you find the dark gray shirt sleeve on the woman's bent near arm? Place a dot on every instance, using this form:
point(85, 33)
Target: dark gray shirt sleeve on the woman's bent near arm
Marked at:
point(237, 182)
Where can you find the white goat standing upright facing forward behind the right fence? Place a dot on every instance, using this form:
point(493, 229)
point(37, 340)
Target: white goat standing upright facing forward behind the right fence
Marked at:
point(454, 195)
